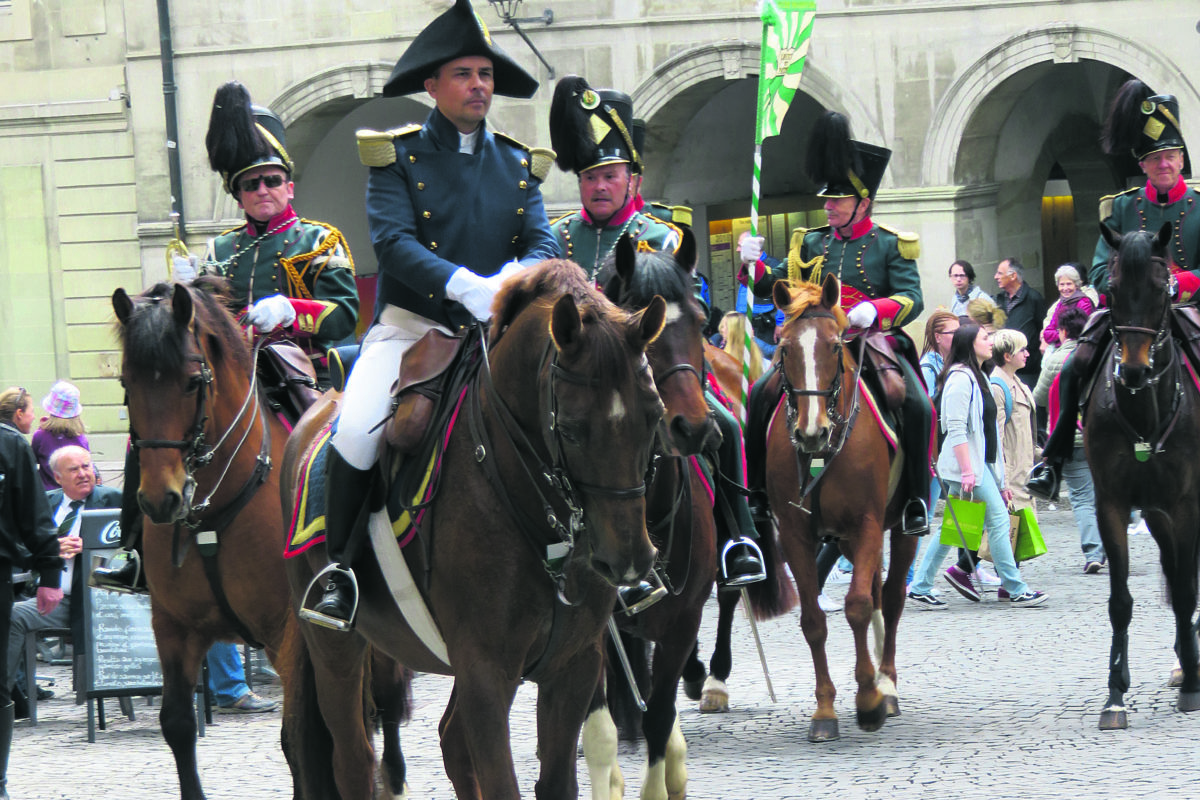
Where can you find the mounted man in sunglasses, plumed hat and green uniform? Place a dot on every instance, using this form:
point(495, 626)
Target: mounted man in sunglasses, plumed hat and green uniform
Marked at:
point(293, 278)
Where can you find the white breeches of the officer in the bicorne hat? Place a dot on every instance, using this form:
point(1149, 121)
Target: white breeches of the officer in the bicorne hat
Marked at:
point(368, 399)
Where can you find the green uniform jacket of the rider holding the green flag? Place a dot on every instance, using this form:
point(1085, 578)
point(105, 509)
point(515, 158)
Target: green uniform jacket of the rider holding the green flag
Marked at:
point(879, 264)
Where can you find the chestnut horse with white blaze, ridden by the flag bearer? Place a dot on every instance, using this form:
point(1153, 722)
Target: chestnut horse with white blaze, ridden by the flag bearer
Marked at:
point(825, 414)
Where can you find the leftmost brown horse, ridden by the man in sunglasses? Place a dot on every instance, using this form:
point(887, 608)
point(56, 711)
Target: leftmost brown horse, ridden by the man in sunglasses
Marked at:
point(206, 446)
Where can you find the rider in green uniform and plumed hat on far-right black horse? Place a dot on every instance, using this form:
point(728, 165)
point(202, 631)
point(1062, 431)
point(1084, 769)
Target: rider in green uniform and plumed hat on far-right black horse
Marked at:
point(1147, 127)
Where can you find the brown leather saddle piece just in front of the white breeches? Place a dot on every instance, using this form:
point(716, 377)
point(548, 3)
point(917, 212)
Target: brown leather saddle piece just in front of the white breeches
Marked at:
point(421, 387)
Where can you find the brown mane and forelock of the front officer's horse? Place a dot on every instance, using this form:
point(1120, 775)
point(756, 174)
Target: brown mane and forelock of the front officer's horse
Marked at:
point(543, 286)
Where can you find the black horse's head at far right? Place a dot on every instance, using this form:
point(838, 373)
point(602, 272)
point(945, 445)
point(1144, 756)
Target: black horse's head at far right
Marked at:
point(1141, 290)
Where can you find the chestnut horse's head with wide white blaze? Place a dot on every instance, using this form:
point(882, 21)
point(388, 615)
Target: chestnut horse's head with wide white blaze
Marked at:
point(812, 359)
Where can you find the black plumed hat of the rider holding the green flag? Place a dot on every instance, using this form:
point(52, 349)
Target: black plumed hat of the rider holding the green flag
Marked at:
point(843, 166)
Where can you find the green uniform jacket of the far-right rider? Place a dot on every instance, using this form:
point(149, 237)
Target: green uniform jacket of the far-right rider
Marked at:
point(1133, 210)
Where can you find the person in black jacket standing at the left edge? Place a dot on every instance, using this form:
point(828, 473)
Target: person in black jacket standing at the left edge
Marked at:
point(25, 520)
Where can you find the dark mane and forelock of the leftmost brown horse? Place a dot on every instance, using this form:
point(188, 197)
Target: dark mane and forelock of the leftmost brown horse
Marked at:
point(153, 342)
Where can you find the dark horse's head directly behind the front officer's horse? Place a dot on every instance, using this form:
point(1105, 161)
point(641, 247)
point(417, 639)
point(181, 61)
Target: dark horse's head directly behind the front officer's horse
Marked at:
point(677, 356)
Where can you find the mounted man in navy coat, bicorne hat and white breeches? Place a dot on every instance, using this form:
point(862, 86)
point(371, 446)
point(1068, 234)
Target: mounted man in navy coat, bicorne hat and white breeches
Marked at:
point(454, 209)
